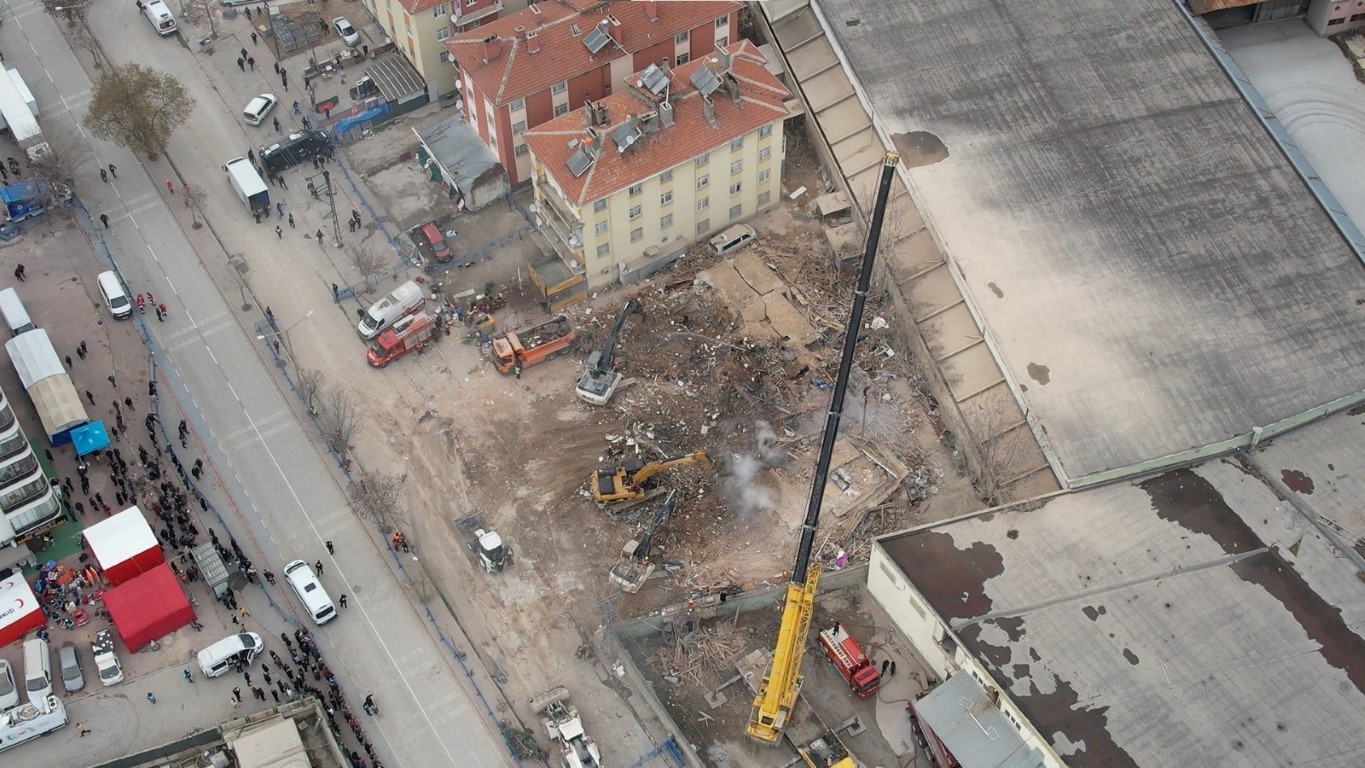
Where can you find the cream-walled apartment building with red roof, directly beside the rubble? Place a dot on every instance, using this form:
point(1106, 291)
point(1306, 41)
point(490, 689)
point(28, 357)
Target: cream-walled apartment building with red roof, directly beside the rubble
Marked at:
point(629, 182)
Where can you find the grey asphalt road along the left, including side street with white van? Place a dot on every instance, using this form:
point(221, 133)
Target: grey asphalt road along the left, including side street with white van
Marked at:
point(287, 500)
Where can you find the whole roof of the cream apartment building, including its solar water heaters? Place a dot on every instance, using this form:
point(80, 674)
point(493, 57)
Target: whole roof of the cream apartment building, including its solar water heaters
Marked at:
point(634, 144)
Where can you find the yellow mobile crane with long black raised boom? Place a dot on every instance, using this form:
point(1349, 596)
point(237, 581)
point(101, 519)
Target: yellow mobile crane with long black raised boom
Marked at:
point(783, 683)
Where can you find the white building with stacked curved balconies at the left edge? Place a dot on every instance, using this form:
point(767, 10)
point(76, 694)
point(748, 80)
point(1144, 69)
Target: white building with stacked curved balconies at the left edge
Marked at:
point(28, 501)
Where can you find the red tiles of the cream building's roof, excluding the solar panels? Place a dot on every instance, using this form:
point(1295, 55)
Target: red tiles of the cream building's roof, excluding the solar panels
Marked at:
point(761, 103)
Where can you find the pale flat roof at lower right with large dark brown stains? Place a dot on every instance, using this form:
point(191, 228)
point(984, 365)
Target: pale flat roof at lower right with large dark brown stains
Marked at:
point(1191, 619)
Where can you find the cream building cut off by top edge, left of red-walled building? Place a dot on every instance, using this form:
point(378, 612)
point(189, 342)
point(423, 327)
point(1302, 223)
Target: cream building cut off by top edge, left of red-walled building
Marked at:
point(421, 28)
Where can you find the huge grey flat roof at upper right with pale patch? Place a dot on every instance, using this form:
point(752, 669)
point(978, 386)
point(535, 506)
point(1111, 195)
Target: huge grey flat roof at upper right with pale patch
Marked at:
point(1154, 274)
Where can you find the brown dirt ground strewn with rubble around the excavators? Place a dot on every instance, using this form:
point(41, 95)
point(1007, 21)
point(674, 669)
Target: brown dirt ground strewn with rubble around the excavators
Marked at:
point(698, 376)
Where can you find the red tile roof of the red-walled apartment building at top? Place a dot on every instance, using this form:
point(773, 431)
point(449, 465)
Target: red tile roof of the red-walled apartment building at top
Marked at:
point(513, 73)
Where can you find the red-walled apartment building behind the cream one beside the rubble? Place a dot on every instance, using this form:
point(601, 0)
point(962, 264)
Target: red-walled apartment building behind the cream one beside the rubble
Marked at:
point(530, 68)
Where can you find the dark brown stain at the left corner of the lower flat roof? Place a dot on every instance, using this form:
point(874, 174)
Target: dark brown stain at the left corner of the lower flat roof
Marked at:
point(951, 578)
